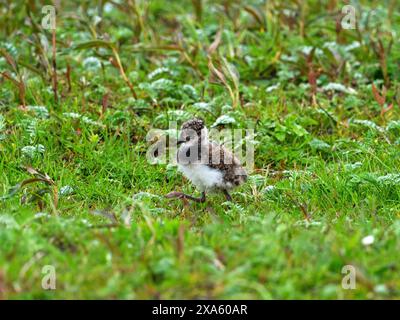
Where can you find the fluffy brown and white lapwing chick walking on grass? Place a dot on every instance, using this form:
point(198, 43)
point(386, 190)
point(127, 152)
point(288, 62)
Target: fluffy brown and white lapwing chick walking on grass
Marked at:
point(208, 165)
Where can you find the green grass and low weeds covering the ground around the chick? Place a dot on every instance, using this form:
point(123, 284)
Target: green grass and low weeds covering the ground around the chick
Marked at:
point(326, 161)
